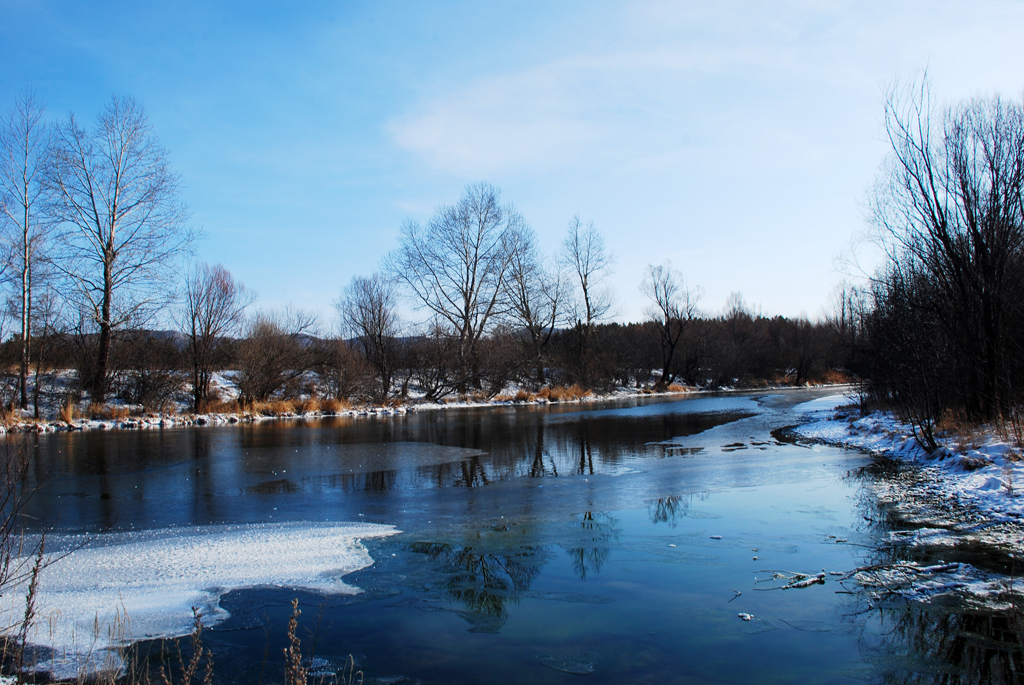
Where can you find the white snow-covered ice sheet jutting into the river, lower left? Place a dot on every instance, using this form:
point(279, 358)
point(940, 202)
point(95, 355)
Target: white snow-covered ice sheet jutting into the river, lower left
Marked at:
point(117, 588)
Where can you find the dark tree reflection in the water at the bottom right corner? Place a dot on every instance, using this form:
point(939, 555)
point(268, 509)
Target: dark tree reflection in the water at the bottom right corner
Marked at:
point(931, 646)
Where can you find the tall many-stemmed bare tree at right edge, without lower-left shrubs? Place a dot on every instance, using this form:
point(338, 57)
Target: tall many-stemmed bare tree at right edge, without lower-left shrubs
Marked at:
point(950, 209)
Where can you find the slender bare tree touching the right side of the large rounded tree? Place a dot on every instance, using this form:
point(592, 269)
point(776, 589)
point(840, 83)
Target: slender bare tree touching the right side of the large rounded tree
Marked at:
point(535, 296)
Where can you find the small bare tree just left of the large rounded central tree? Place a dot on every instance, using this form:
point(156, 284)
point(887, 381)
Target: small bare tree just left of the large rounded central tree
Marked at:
point(368, 311)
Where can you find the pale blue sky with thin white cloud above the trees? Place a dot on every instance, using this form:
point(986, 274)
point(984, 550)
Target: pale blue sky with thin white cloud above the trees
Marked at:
point(737, 140)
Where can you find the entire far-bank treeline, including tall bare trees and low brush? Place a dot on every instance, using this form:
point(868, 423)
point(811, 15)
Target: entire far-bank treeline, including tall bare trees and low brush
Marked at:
point(97, 240)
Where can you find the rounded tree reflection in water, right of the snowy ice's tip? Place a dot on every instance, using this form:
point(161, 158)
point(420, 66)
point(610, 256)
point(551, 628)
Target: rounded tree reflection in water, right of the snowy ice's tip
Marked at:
point(484, 582)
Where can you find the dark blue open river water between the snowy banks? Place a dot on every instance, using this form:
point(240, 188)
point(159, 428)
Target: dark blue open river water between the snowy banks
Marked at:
point(605, 544)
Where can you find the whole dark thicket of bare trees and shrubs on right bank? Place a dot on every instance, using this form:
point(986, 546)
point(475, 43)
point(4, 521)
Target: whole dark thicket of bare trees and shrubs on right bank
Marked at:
point(943, 323)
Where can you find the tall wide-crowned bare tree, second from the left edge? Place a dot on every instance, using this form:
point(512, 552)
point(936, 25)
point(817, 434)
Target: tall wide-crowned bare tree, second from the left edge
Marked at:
point(122, 225)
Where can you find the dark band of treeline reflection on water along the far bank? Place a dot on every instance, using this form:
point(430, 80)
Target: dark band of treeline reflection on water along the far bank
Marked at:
point(104, 481)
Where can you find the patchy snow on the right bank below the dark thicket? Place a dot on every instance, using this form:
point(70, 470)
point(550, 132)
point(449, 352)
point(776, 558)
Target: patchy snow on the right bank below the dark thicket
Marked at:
point(961, 497)
